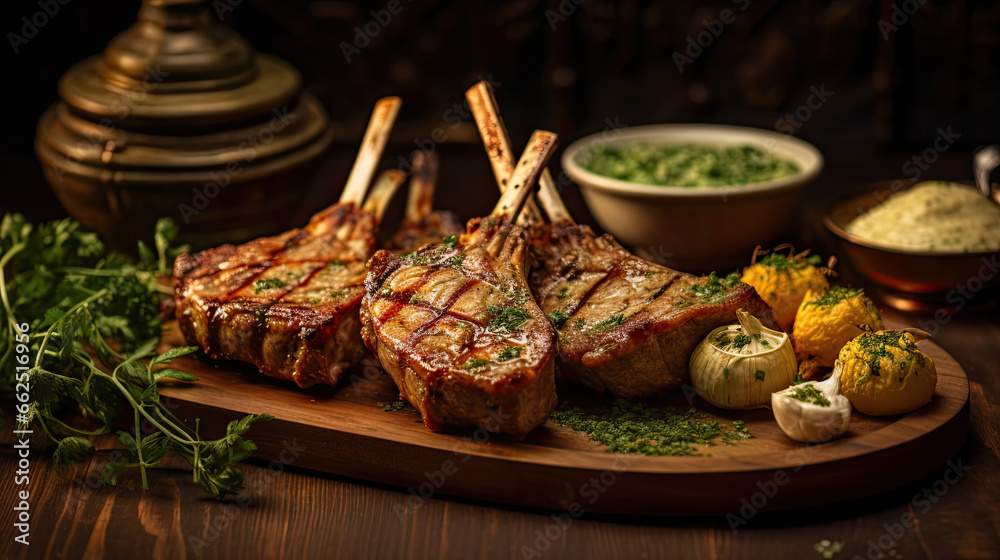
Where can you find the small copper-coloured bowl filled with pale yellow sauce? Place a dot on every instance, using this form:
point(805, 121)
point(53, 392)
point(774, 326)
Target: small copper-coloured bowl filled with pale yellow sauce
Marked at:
point(931, 245)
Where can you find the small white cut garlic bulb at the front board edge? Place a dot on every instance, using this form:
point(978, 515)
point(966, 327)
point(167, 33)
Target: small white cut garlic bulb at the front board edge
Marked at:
point(813, 411)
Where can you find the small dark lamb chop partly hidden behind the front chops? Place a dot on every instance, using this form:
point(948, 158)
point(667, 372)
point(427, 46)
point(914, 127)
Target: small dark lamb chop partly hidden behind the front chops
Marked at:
point(422, 224)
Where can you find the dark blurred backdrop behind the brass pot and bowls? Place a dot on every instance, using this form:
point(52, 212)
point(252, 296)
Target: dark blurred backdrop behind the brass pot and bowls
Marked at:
point(891, 74)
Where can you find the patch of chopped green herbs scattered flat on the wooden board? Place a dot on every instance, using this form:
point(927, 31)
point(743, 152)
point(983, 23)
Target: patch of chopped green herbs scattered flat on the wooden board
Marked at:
point(627, 427)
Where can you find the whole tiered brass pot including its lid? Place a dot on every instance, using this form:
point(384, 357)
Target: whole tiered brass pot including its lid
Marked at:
point(180, 117)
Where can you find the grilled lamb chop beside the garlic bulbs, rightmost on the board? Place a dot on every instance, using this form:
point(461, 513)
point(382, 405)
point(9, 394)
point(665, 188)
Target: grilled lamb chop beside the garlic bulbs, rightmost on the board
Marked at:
point(626, 325)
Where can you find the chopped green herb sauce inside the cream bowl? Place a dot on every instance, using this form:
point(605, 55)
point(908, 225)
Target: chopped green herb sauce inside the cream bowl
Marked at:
point(686, 165)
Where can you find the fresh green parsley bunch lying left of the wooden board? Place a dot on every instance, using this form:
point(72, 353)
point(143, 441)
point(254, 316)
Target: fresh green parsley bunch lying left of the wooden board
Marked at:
point(56, 278)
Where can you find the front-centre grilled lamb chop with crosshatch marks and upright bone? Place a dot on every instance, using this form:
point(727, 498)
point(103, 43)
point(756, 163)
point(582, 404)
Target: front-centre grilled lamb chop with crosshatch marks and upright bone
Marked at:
point(455, 326)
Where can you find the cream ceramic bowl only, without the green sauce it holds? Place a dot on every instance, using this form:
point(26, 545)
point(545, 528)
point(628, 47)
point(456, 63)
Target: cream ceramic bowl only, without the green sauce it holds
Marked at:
point(695, 228)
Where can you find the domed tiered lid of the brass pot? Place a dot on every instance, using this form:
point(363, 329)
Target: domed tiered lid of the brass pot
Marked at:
point(178, 70)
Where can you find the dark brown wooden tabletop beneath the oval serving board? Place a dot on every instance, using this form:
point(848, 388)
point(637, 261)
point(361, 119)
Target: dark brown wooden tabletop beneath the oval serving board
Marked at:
point(294, 513)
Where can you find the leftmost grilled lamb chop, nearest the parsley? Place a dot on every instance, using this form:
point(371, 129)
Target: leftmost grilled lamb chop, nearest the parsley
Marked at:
point(288, 304)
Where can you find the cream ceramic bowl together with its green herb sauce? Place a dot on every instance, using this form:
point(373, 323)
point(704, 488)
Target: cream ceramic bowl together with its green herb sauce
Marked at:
point(642, 184)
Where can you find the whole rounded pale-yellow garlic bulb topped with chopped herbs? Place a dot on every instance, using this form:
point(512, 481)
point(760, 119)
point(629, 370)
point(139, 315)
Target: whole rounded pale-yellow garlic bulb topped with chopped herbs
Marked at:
point(739, 366)
